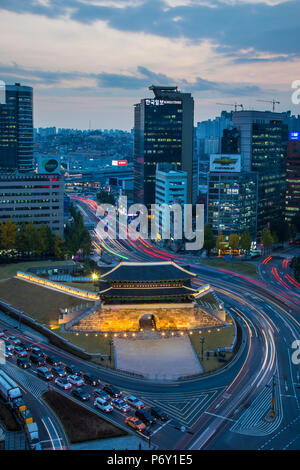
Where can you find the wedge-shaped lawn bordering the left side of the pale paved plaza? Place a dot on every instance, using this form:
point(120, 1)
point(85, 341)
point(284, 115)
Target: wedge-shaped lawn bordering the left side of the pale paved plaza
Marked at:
point(91, 342)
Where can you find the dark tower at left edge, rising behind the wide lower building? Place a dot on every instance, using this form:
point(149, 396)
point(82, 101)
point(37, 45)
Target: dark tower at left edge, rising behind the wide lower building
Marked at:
point(16, 129)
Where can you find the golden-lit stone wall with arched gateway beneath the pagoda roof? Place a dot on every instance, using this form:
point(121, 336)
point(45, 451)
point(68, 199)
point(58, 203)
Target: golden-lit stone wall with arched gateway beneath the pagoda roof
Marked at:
point(126, 319)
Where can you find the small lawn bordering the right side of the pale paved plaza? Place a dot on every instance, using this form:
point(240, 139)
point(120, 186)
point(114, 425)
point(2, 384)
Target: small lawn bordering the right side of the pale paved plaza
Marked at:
point(213, 340)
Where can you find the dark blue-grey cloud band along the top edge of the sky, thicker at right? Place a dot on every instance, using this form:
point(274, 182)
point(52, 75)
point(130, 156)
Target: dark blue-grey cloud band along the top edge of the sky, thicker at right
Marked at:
point(268, 26)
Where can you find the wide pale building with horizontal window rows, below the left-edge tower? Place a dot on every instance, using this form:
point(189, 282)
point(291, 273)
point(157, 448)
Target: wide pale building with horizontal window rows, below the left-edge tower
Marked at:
point(31, 197)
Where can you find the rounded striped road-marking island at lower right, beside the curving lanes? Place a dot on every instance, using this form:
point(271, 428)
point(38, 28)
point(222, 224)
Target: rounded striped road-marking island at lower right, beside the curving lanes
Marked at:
point(253, 421)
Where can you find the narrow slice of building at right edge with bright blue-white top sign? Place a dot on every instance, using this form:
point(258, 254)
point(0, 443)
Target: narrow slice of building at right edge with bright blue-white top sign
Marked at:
point(292, 200)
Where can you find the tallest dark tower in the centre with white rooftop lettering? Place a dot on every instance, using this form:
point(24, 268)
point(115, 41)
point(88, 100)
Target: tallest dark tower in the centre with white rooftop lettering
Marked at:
point(163, 133)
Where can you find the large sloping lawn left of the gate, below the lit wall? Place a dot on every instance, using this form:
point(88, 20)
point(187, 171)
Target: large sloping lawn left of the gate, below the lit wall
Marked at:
point(38, 302)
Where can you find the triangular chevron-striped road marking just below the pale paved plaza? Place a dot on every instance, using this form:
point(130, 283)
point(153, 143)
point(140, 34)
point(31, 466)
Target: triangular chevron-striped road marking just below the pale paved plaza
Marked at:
point(185, 410)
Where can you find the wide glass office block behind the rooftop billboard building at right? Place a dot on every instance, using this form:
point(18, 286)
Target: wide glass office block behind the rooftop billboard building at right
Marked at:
point(263, 147)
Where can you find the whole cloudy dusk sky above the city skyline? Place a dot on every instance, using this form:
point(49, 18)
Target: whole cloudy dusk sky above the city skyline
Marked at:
point(90, 61)
